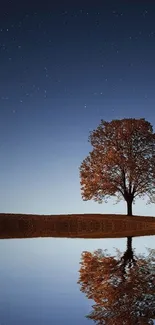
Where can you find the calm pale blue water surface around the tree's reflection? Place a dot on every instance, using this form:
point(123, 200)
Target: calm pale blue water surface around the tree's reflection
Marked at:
point(38, 278)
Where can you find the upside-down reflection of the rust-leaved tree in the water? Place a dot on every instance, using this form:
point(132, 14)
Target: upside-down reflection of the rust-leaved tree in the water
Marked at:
point(123, 288)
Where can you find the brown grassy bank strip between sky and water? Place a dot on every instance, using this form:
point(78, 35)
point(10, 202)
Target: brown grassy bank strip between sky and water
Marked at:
point(75, 225)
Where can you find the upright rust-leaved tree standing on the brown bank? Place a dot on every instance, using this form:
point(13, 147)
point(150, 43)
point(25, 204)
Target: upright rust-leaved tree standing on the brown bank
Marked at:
point(122, 162)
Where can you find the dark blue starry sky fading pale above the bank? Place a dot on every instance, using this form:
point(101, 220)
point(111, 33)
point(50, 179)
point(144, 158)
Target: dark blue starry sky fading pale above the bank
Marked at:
point(63, 68)
